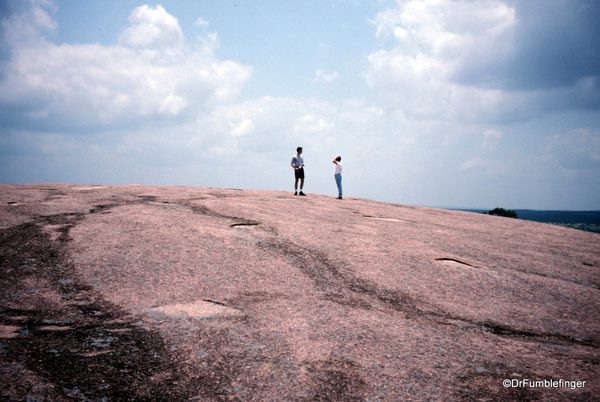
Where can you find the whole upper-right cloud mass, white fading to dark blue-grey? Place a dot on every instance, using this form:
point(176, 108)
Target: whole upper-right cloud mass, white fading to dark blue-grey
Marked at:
point(465, 60)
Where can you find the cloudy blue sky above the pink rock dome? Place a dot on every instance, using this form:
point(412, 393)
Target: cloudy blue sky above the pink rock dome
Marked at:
point(449, 103)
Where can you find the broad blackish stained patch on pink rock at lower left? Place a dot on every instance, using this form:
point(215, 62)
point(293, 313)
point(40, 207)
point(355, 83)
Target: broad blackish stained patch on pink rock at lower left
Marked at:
point(95, 353)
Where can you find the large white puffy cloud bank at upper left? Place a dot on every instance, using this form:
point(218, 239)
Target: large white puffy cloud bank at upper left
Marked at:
point(154, 72)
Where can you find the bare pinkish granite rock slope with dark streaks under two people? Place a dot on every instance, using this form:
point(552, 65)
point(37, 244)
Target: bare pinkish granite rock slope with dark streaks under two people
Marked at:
point(180, 293)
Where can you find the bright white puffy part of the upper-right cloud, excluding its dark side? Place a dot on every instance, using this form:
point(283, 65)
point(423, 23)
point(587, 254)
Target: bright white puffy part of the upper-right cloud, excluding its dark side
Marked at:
point(434, 40)
